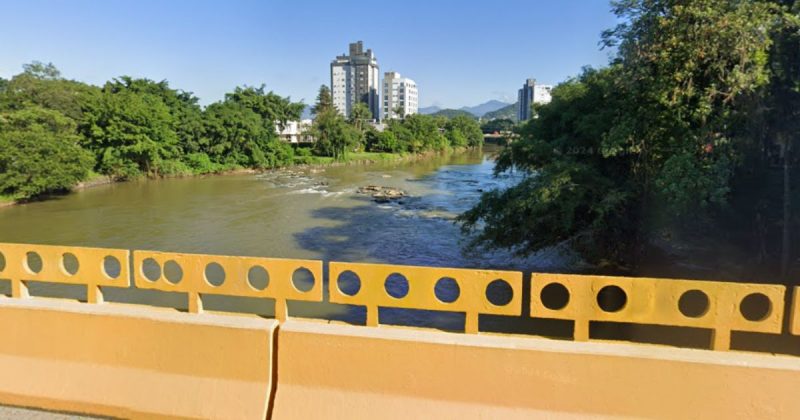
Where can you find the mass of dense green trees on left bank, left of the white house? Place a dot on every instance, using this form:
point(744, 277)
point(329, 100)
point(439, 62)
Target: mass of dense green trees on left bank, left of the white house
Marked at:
point(54, 131)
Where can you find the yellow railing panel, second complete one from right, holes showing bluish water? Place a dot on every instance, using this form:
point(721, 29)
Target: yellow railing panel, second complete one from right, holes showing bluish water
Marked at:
point(427, 288)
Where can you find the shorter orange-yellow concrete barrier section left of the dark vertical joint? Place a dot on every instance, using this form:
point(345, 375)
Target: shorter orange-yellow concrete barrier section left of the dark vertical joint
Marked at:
point(128, 361)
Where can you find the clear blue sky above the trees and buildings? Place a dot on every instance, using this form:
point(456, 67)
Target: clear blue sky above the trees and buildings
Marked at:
point(459, 52)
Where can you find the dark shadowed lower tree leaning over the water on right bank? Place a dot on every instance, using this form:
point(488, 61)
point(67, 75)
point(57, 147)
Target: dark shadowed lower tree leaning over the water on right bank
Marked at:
point(570, 191)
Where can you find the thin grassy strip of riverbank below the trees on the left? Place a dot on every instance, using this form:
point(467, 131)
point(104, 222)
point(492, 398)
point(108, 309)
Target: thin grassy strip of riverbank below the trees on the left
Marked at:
point(308, 162)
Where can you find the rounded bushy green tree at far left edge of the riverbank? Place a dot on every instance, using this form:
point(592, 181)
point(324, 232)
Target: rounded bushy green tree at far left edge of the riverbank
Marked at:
point(39, 153)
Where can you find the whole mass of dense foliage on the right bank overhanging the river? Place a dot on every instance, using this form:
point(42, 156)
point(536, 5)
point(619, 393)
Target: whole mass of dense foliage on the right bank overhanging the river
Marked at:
point(668, 132)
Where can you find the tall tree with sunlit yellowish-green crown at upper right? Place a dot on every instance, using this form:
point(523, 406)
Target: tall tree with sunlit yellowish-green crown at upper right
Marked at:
point(685, 66)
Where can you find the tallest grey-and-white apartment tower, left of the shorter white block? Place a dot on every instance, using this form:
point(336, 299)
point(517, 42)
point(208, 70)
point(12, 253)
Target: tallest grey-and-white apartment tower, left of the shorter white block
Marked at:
point(354, 78)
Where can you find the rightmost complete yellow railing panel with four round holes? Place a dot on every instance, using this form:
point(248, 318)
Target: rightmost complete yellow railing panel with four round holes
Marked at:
point(685, 303)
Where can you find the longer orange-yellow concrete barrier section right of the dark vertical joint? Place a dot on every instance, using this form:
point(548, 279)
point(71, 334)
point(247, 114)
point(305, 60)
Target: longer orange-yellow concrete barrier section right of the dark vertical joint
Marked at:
point(341, 371)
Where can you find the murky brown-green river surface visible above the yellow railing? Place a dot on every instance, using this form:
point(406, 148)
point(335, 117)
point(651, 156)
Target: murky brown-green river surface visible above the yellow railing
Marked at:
point(292, 213)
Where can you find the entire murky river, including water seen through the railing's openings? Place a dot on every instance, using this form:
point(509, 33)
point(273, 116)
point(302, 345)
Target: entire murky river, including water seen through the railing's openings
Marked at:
point(315, 214)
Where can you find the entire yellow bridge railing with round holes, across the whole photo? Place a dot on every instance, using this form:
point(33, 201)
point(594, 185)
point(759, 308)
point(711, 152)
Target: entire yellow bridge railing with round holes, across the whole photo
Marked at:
point(721, 307)
